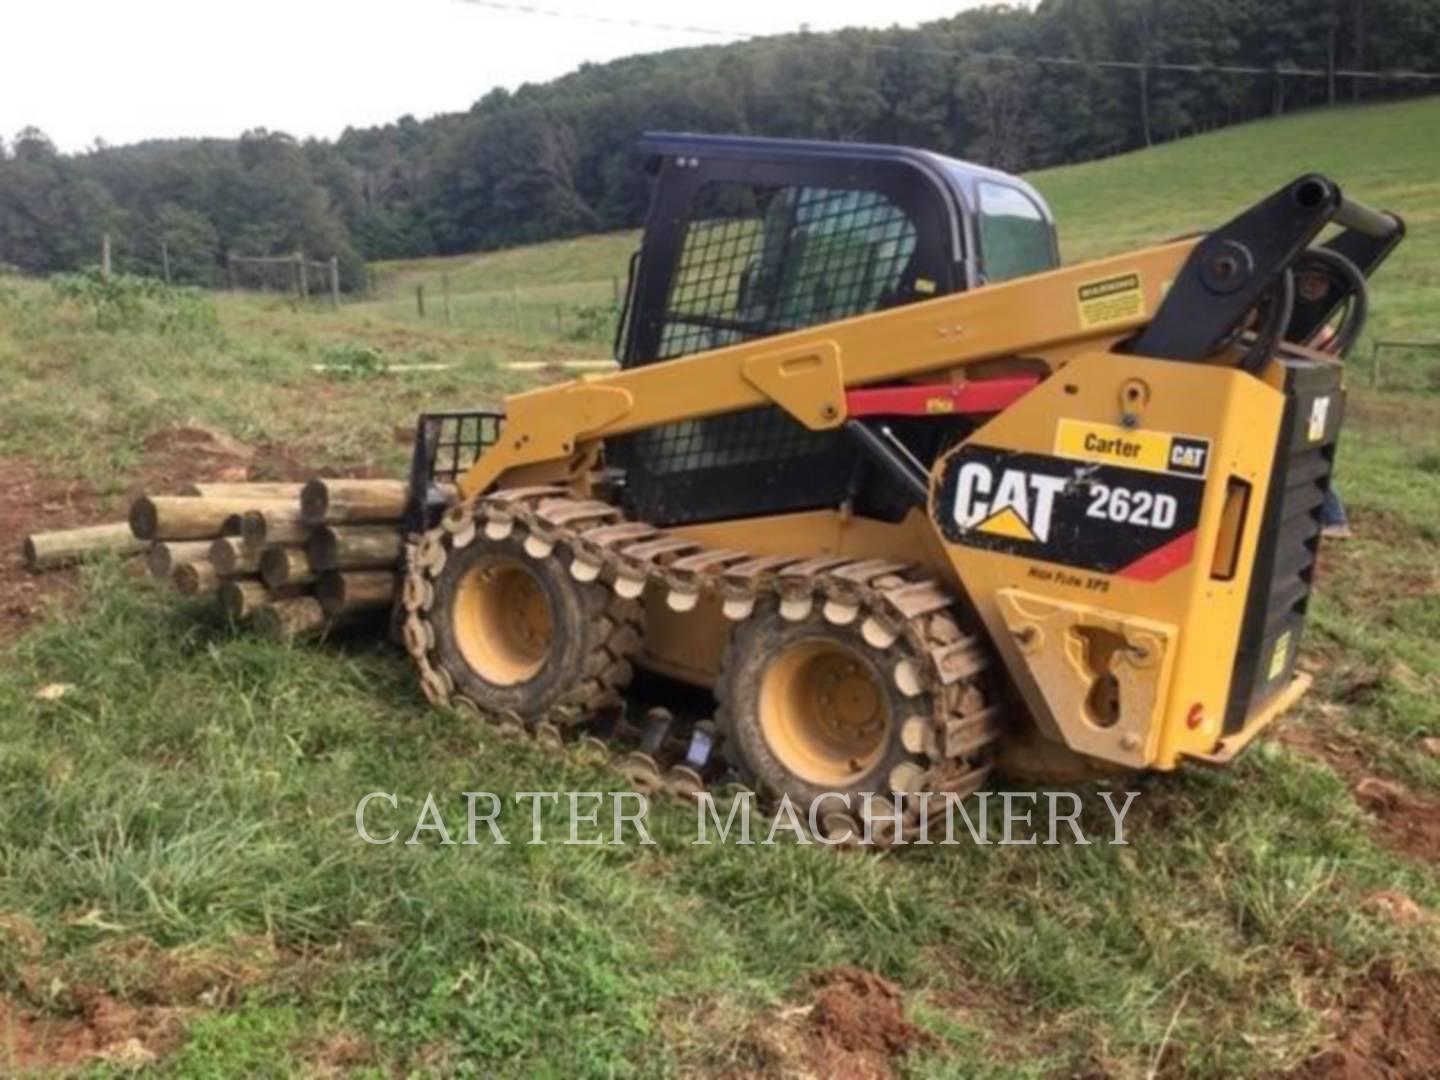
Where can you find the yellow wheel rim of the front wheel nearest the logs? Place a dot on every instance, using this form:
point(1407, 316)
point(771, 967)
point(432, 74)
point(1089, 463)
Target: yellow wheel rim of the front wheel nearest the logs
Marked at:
point(503, 623)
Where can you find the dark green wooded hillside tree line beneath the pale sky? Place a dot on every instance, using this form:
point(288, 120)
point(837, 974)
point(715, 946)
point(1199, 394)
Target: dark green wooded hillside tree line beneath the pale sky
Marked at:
point(1009, 87)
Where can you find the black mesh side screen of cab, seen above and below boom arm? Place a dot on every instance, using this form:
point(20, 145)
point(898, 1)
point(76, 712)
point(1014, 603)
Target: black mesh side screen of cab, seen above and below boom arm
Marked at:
point(758, 261)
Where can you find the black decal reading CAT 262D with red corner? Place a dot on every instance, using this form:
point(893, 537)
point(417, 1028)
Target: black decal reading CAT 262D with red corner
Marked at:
point(1127, 522)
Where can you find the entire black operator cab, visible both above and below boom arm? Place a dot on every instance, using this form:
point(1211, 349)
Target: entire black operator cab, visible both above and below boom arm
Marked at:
point(757, 237)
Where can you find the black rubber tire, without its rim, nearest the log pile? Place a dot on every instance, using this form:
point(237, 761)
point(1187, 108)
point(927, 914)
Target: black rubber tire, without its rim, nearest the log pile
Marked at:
point(581, 665)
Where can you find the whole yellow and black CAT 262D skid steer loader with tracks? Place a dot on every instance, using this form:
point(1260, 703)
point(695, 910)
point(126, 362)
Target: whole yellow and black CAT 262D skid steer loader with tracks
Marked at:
point(911, 498)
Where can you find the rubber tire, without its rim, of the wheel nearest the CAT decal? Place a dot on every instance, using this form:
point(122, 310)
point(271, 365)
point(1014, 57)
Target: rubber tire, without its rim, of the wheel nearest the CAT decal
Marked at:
point(758, 642)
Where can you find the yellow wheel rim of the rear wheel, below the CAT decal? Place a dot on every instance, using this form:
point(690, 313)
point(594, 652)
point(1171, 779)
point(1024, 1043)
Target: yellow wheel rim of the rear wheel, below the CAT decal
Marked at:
point(824, 714)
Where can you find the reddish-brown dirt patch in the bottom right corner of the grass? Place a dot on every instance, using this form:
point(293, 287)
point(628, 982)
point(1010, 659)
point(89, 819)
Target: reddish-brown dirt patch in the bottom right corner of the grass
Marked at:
point(1387, 1027)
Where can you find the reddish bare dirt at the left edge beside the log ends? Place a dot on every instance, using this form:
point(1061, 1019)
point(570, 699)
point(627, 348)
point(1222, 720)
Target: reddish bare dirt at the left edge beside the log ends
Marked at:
point(28, 505)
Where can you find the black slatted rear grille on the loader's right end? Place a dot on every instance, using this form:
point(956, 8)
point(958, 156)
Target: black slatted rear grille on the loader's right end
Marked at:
point(1290, 539)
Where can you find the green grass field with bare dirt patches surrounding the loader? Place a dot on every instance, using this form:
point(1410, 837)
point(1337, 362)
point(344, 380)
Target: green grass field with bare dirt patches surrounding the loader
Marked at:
point(182, 889)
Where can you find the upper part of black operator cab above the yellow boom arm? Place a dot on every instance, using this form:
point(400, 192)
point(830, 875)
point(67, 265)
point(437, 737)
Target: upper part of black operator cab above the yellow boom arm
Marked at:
point(757, 237)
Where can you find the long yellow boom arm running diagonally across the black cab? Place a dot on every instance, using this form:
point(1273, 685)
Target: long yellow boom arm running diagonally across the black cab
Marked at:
point(807, 372)
